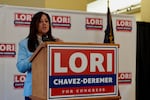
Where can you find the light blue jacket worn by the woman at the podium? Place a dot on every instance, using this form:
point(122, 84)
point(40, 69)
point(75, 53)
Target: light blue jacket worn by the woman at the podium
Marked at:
point(24, 65)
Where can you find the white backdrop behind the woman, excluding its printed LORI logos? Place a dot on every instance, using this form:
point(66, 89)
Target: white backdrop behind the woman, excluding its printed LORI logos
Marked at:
point(77, 33)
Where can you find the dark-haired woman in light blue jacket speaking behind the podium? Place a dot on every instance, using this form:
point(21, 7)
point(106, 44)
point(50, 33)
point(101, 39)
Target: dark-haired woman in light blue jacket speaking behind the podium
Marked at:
point(40, 31)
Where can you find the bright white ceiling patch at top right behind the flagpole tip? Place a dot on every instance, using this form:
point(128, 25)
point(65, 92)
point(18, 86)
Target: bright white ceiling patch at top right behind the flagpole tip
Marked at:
point(115, 5)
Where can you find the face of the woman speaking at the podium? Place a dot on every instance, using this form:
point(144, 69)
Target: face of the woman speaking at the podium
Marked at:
point(43, 26)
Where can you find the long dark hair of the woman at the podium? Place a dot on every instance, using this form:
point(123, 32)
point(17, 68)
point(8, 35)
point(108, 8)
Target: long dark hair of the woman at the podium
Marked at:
point(32, 37)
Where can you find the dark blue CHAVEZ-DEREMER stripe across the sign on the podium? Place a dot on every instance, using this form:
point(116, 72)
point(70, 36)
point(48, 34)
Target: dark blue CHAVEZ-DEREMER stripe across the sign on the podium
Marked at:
point(81, 80)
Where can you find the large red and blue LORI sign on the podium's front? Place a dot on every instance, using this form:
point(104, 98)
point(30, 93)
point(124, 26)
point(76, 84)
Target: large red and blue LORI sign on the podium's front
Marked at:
point(82, 71)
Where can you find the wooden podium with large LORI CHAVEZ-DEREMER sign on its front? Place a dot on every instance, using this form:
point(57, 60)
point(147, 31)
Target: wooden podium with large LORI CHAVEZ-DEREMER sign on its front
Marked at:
point(67, 71)
